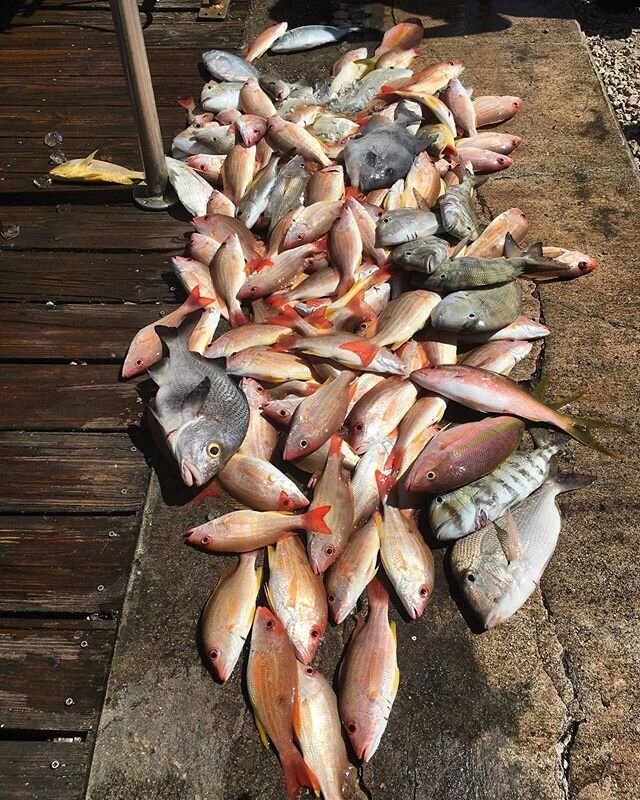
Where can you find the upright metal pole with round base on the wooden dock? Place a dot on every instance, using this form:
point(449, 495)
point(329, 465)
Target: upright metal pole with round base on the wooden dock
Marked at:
point(155, 194)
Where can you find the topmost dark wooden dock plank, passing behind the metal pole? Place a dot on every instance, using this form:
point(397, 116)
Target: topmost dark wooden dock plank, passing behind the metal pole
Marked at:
point(79, 29)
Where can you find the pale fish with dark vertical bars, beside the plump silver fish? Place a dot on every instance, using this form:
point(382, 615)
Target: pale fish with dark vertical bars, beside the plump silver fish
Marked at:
point(469, 508)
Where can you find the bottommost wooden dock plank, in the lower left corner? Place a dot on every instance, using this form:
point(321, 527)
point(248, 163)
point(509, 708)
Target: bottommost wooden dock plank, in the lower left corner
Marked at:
point(47, 770)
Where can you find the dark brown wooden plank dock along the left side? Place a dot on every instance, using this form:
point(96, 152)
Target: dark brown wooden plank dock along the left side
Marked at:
point(86, 271)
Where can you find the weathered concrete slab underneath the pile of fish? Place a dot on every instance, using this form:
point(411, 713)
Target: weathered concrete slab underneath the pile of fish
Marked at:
point(544, 707)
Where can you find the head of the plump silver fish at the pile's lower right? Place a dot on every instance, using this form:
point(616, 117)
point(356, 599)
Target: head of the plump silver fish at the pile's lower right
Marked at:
point(483, 574)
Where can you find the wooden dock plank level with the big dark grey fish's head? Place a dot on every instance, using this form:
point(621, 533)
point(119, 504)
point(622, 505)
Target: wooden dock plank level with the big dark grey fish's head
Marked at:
point(77, 473)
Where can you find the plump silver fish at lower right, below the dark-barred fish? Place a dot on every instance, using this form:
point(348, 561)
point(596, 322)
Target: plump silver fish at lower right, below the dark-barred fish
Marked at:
point(499, 566)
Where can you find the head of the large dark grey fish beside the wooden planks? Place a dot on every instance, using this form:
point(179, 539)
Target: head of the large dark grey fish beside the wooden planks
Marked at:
point(202, 447)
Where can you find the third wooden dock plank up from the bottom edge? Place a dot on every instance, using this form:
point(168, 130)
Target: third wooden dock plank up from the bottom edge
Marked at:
point(65, 564)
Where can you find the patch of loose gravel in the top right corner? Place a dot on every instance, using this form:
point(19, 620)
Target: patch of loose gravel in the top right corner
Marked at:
point(613, 37)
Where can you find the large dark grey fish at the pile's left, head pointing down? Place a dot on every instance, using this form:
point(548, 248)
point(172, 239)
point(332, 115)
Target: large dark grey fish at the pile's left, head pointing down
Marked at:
point(203, 414)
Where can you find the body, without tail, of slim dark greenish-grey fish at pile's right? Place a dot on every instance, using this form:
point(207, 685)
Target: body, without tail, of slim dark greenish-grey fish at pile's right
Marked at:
point(470, 273)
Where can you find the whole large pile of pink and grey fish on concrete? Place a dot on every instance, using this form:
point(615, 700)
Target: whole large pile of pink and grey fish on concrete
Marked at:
point(367, 306)
